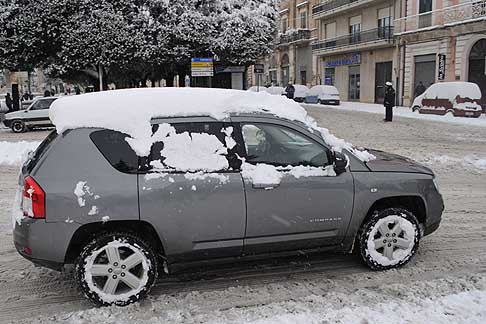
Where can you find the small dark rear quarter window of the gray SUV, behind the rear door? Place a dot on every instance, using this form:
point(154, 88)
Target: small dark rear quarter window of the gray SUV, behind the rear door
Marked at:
point(116, 150)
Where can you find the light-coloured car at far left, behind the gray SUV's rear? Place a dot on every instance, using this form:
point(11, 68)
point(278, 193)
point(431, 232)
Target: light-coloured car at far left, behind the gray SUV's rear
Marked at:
point(36, 115)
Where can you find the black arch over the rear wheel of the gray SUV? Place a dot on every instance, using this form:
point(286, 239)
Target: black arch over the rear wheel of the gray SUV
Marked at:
point(87, 232)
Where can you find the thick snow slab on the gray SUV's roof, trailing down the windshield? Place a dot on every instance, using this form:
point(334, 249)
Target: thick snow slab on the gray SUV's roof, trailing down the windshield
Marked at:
point(130, 111)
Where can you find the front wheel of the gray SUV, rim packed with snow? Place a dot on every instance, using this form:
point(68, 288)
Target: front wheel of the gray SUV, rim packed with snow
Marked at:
point(396, 245)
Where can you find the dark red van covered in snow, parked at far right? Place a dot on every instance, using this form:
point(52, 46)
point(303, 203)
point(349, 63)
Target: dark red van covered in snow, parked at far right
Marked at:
point(460, 99)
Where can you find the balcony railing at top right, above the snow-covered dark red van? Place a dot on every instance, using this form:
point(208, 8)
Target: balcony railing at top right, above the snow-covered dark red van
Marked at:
point(453, 15)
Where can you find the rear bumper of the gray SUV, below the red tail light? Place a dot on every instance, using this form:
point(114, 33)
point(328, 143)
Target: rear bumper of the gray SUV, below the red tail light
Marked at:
point(48, 242)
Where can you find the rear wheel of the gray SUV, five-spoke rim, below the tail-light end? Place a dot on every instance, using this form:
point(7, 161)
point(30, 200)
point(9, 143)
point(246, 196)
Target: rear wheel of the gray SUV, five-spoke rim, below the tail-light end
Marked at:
point(116, 268)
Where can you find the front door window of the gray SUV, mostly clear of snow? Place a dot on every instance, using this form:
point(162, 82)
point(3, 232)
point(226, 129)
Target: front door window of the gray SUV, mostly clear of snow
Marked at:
point(281, 146)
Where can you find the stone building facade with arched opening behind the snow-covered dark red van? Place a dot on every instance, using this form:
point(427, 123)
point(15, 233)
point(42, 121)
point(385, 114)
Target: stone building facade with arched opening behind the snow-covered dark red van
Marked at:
point(440, 41)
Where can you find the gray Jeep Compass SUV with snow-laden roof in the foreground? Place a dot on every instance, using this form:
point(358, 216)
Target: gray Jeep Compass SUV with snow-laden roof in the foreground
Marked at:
point(122, 221)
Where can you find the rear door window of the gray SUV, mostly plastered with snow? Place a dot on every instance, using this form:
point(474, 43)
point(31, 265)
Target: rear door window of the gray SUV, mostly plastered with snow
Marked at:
point(213, 141)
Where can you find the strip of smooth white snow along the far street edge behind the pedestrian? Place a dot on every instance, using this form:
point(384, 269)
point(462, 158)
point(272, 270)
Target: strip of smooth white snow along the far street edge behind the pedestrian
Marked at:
point(404, 112)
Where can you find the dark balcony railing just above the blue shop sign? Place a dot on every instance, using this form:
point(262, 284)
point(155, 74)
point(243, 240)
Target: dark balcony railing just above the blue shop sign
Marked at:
point(372, 35)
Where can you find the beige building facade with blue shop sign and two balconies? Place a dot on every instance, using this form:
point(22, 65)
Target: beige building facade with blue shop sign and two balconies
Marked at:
point(355, 50)
